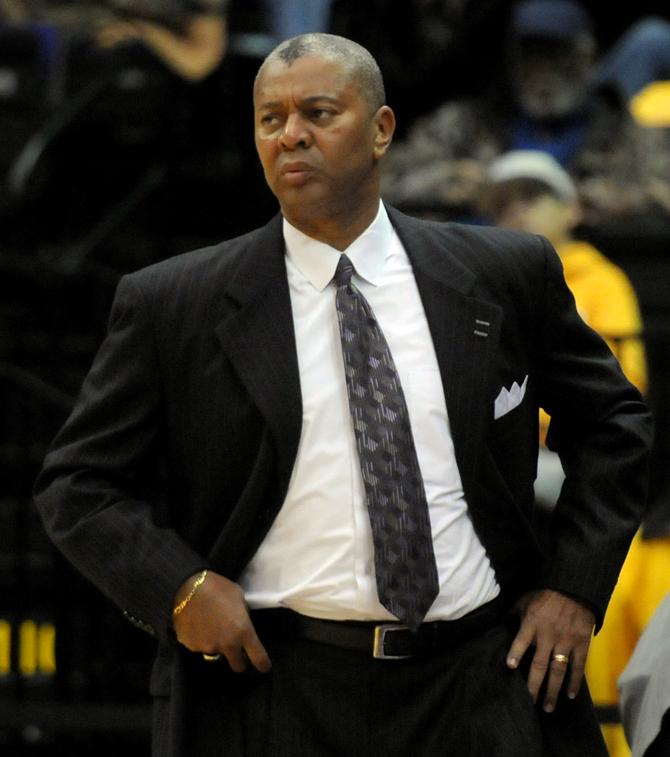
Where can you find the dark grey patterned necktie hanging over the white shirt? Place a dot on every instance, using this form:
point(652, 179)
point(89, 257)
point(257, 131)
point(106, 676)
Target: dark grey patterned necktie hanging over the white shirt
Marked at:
point(407, 581)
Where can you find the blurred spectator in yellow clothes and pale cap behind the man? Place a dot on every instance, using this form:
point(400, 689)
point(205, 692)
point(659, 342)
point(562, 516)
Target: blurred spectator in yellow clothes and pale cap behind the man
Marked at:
point(528, 190)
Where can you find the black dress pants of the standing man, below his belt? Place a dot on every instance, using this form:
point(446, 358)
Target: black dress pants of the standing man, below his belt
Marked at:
point(324, 701)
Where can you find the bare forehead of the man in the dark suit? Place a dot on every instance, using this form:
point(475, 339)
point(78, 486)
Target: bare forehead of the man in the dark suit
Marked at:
point(310, 76)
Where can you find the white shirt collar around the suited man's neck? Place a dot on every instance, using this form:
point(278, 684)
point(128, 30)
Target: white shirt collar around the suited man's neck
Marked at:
point(317, 261)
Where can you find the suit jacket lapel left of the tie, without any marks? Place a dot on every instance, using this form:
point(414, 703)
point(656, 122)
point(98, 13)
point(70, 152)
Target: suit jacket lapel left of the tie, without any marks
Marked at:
point(259, 340)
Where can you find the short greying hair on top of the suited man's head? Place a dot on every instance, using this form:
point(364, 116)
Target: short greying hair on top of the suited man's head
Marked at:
point(354, 58)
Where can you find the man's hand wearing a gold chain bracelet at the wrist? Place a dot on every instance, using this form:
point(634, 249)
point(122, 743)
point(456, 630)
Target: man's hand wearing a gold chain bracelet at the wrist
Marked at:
point(216, 621)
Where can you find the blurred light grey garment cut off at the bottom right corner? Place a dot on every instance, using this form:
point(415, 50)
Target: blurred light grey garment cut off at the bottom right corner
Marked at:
point(645, 688)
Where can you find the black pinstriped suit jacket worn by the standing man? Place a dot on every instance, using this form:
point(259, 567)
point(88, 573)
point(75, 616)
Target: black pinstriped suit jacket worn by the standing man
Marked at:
point(180, 449)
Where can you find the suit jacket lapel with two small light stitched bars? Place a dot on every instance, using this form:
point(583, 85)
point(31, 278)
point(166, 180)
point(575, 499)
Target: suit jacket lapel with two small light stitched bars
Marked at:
point(465, 331)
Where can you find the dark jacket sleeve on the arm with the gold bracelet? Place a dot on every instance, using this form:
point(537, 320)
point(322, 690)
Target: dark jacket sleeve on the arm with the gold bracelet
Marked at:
point(99, 492)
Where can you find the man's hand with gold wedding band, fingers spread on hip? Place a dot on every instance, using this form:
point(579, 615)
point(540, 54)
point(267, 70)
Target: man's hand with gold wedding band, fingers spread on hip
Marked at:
point(560, 630)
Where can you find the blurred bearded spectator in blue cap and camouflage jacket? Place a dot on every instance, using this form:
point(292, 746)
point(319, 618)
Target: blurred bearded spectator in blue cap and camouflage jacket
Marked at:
point(546, 101)
